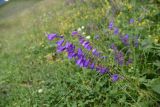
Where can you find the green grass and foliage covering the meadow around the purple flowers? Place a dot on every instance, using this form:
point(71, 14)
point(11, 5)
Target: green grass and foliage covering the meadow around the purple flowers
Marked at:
point(31, 76)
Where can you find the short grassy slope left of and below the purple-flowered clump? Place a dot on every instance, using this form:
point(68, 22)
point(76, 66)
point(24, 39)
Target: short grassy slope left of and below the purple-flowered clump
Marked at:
point(24, 69)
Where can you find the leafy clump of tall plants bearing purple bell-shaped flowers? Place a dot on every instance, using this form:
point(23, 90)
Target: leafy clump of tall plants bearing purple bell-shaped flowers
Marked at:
point(117, 49)
